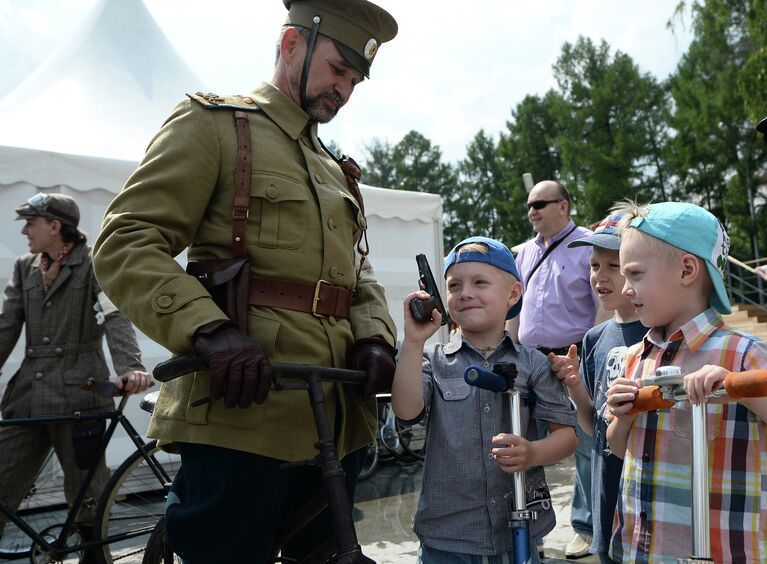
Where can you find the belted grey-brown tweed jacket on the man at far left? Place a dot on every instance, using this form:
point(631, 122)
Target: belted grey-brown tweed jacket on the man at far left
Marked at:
point(63, 338)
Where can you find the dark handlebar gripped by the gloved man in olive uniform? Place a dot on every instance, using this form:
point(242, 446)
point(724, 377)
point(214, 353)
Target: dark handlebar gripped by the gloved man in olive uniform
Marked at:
point(186, 363)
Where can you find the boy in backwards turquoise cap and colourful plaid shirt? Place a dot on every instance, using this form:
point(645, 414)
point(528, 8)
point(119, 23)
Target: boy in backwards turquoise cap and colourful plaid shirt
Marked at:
point(673, 255)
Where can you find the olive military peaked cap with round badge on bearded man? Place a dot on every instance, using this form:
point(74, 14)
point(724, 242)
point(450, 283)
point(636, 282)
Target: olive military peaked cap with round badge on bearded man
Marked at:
point(357, 27)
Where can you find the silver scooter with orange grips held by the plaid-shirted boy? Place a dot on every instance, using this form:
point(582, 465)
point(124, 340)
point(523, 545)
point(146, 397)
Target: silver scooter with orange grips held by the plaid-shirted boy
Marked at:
point(663, 390)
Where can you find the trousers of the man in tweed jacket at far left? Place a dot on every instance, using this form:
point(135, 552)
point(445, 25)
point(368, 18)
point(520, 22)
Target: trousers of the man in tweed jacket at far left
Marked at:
point(24, 450)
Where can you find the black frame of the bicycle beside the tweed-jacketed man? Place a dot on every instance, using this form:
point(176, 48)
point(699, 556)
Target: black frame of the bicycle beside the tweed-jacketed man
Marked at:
point(58, 548)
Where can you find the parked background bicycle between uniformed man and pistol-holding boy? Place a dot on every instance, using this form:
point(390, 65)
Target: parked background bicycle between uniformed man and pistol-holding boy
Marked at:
point(398, 440)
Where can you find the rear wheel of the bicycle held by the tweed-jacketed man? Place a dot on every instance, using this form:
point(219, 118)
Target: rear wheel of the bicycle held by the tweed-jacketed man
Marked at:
point(43, 508)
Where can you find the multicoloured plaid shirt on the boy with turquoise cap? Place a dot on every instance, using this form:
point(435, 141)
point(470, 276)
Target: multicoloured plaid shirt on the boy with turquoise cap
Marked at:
point(653, 518)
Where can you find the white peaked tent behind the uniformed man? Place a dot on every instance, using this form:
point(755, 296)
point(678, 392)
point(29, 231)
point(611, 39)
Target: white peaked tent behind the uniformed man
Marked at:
point(114, 91)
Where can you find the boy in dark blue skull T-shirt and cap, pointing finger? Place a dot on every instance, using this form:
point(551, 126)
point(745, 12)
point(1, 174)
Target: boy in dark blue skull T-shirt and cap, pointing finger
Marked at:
point(603, 360)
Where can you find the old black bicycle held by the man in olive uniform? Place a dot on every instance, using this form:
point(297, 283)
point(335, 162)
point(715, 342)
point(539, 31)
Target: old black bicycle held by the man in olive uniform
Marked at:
point(333, 496)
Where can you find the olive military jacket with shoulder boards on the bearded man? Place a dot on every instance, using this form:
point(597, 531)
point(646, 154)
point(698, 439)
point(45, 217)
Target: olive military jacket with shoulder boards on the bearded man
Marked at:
point(303, 225)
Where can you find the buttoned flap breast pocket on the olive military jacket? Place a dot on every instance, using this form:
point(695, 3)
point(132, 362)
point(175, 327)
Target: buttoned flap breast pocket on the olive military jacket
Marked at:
point(278, 208)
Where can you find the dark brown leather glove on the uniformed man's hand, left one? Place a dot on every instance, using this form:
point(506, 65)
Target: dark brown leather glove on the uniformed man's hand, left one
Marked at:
point(240, 371)
